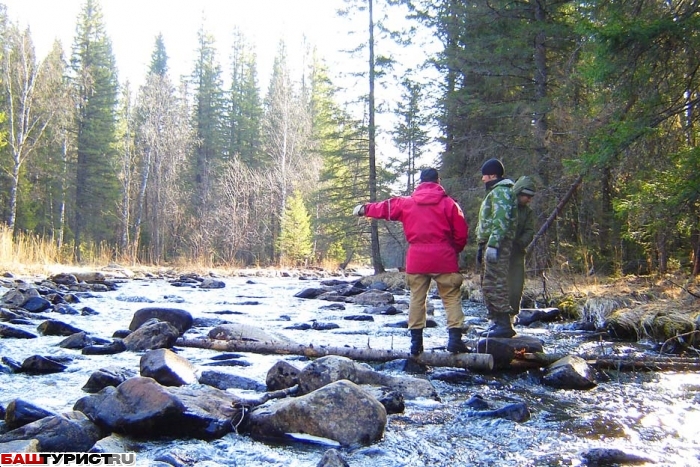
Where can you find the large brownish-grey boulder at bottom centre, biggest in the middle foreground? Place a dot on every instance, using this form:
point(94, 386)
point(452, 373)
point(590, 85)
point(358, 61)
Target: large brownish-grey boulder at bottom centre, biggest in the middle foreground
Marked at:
point(341, 411)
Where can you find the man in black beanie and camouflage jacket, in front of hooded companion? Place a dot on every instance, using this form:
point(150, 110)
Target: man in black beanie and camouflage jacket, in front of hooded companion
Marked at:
point(494, 233)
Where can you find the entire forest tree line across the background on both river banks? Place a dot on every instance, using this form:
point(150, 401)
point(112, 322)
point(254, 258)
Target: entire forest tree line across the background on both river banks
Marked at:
point(597, 100)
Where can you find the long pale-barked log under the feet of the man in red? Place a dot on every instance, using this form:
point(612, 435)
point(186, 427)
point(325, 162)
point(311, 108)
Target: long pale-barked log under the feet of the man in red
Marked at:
point(472, 361)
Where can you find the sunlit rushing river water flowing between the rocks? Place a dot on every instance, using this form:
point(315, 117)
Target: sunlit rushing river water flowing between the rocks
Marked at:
point(653, 415)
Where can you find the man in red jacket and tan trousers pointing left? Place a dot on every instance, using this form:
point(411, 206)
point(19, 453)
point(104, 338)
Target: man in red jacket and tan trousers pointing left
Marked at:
point(436, 231)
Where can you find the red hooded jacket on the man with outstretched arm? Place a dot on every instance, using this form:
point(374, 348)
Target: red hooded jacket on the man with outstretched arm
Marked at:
point(434, 226)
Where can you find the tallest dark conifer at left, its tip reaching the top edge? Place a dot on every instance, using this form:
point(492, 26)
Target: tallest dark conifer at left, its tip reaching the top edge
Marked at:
point(95, 80)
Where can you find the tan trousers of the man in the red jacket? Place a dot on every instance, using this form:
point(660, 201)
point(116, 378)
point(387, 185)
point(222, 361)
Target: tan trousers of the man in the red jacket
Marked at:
point(449, 286)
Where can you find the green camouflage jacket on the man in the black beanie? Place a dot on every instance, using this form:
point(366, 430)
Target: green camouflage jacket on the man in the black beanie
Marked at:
point(497, 215)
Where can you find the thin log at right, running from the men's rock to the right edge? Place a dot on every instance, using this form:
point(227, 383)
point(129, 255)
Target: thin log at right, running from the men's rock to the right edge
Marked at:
point(611, 362)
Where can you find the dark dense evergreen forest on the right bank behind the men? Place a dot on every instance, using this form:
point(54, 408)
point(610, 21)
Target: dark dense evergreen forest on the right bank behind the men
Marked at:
point(601, 95)
